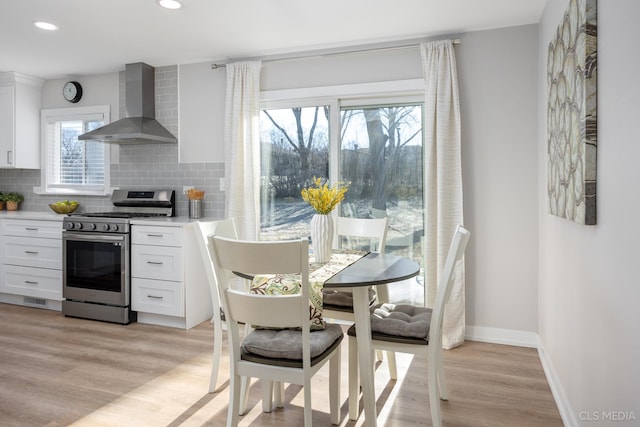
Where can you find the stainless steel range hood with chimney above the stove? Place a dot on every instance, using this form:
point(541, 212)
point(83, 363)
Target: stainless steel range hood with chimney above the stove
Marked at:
point(140, 125)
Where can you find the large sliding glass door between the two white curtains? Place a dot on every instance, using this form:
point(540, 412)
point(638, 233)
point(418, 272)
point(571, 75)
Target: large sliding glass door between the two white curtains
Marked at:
point(374, 144)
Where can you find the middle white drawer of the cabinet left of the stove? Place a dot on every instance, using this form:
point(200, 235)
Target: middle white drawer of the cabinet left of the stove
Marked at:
point(32, 252)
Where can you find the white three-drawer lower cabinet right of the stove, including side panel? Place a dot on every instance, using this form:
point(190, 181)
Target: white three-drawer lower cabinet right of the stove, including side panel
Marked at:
point(168, 284)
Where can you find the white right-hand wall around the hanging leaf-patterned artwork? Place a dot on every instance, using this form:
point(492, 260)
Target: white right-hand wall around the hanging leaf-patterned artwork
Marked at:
point(589, 287)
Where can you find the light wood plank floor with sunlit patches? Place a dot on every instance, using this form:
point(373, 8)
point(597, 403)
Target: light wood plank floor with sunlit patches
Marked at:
point(58, 371)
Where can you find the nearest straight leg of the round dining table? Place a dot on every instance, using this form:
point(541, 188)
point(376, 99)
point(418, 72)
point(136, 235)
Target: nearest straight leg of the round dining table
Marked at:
point(365, 353)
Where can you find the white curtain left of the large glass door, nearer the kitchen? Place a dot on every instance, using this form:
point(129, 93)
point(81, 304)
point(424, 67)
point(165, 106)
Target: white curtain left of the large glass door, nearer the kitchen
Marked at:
point(242, 147)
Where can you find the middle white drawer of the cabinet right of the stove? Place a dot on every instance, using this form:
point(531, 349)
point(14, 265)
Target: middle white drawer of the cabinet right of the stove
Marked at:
point(156, 262)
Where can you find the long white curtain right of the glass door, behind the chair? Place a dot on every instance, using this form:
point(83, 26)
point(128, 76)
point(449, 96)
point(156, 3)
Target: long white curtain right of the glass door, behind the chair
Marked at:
point(443, 180)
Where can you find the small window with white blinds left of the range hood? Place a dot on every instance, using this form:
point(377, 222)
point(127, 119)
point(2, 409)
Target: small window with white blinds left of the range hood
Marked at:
point(69, 165)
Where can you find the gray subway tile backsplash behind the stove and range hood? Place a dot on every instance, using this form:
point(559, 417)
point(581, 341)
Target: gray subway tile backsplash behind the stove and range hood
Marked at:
point(141, 166)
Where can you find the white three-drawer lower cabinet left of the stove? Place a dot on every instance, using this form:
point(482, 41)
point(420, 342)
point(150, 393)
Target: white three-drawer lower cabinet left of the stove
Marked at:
point(31, 262)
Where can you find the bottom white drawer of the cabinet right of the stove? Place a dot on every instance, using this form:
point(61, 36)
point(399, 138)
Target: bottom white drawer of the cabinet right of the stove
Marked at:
point(157, 296)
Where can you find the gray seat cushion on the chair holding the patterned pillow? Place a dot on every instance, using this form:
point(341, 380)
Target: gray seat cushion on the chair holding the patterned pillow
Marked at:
point(287, 343)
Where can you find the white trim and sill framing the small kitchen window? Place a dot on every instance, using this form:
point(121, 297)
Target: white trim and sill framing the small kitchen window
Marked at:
point(68, 114)
